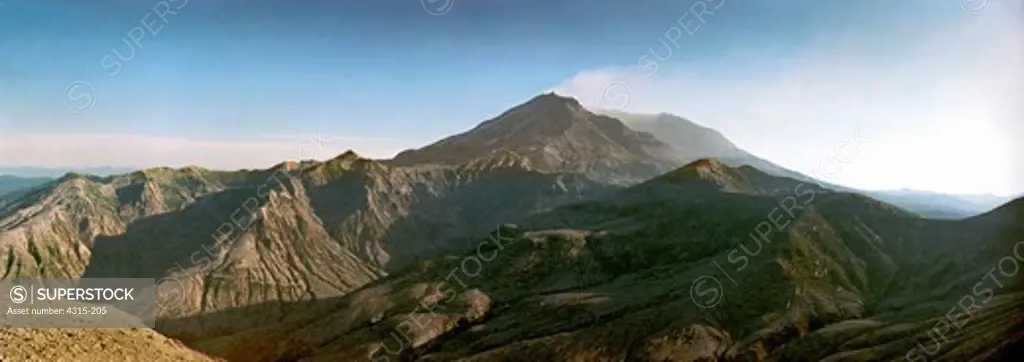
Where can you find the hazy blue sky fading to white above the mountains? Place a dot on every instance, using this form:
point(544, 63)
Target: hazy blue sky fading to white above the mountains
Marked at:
point(935, 85)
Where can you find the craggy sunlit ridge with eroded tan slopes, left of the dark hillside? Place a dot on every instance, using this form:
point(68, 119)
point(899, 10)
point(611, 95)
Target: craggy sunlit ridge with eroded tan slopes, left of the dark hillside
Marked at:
point(282, 237)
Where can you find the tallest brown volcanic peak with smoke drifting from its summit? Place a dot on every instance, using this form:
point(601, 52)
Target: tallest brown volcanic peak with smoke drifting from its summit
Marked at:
point(557, 134)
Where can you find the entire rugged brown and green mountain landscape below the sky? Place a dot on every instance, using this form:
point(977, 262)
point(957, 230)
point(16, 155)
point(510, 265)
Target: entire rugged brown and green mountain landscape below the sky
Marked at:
point(548, 234)
